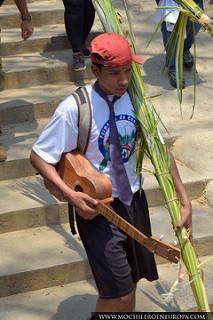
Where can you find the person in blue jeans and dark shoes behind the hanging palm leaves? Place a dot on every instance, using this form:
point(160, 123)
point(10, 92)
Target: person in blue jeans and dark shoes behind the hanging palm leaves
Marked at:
point(166, 30)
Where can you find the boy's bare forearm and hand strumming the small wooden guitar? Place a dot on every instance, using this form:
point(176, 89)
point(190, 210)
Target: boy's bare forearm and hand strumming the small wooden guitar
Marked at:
point(84, 205)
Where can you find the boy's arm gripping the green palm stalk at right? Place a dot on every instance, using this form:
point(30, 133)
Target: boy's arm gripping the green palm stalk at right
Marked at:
point(186, 207)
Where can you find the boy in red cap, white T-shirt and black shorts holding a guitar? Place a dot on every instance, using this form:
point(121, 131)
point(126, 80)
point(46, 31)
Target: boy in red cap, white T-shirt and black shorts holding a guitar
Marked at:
point(117, 261)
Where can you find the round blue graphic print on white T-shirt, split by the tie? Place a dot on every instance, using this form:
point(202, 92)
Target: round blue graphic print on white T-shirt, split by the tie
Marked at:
point(127, 126)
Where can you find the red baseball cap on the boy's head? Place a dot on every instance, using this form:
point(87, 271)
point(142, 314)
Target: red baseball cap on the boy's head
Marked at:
point(114, 50)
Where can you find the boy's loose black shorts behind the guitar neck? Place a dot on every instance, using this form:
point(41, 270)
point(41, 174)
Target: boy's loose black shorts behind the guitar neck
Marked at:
point(117, 261)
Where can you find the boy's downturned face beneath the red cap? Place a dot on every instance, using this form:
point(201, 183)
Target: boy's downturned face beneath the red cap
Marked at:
point(113, 80)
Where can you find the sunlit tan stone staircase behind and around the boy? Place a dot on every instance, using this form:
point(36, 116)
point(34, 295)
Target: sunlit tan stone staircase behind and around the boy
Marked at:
point(44, 273)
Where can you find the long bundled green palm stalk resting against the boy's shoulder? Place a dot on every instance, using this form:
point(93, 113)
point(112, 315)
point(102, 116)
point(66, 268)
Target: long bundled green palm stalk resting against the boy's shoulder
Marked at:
point(148, 120)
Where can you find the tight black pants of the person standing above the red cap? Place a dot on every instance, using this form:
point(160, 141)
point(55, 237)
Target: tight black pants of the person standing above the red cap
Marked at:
point(78, 17)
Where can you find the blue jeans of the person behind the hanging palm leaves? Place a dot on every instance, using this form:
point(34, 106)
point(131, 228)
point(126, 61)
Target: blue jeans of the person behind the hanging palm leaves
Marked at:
point(189, 35)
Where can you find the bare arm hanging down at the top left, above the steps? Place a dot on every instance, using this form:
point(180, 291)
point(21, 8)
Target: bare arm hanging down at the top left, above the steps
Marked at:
point(26, 25)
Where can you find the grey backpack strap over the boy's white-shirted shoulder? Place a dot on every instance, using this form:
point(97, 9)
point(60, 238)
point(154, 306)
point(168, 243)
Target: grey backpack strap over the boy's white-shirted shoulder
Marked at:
point(84, 118)
